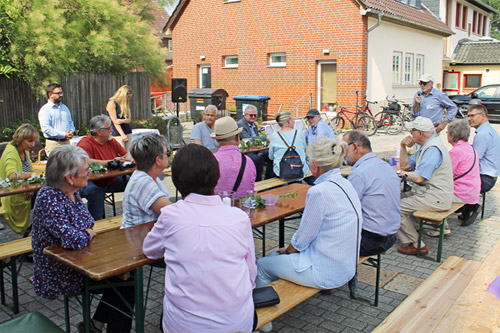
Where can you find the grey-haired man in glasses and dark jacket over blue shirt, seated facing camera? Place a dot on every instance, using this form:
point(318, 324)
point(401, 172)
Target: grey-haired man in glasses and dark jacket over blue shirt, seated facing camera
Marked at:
point(250, 131)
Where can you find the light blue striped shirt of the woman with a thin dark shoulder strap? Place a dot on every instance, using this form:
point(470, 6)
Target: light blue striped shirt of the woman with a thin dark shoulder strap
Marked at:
point(329, 234)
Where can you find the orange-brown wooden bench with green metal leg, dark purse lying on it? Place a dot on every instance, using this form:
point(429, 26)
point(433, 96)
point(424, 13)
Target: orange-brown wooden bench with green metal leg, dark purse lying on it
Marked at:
point(292, 294)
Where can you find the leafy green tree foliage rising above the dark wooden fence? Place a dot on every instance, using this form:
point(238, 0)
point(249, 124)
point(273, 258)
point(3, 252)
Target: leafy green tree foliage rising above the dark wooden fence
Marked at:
point(44, 40)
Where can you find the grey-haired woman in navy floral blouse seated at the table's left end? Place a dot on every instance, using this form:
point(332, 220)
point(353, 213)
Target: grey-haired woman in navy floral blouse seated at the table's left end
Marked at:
point(60, 217)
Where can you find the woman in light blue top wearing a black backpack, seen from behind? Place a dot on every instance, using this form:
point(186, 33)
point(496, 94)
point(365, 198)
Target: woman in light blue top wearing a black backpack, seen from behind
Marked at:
point(287, 136)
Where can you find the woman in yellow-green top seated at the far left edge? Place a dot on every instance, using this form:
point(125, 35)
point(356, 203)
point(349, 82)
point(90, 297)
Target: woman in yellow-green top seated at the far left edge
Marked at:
point(15, 165)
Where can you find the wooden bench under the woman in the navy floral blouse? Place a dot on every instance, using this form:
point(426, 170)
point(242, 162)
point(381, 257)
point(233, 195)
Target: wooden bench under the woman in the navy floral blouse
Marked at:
point(10, 251)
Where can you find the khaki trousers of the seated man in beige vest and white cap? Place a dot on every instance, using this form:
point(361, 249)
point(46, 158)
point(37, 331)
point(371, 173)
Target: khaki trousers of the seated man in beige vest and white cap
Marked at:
point(409, 204)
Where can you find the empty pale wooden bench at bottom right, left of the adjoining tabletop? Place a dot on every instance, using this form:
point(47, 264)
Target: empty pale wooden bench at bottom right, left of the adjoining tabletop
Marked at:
point(427, 305)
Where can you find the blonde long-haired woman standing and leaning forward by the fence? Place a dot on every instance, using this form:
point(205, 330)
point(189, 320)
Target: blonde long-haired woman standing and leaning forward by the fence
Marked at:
point(119, 111)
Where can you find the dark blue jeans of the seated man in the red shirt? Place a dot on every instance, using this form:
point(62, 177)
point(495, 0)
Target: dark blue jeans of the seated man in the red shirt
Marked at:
point(95, 195)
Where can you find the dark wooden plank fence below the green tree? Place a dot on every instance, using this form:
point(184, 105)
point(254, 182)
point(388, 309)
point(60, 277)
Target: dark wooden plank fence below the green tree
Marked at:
point(85, 94)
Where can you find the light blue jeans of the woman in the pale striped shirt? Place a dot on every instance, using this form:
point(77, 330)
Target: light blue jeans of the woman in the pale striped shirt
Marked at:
point(279, 266)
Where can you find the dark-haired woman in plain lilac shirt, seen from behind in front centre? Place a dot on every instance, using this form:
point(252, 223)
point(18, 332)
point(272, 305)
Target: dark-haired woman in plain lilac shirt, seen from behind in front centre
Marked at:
point(208, 250)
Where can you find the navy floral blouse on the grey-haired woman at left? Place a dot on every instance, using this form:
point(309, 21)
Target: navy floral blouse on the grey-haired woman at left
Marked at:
point(58, 221)
